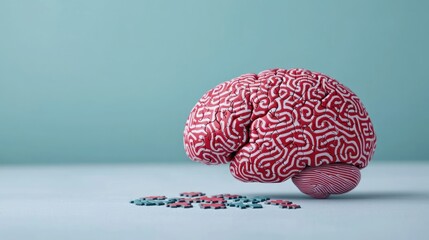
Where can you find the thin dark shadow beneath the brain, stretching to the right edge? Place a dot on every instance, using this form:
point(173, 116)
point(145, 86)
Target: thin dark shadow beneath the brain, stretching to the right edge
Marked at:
point(374, 196)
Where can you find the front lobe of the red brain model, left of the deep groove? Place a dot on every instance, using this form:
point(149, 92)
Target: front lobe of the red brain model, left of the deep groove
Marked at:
point(217, 126)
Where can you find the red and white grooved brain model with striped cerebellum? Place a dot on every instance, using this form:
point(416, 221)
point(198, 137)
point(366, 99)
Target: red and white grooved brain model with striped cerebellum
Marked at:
point(281, 124)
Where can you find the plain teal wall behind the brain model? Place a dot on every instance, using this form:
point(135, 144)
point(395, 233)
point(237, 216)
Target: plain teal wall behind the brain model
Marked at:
point(113, 81)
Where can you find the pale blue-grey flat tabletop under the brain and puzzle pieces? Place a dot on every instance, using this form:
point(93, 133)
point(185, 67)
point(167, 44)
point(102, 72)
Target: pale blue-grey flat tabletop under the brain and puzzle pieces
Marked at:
point(92, 202)
